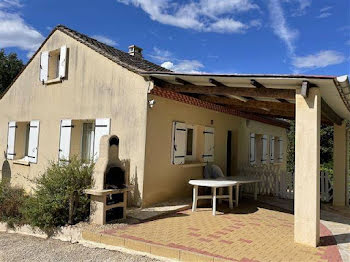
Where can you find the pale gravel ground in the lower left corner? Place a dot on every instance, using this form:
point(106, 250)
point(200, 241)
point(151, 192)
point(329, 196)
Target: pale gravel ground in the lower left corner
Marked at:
point(15, 247)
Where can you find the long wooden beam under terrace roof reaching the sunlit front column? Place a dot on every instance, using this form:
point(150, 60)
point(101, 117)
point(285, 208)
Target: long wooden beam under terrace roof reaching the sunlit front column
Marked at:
point(288, 94)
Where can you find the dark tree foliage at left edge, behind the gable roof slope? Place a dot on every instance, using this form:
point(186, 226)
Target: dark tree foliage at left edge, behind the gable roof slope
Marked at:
point(10, 66)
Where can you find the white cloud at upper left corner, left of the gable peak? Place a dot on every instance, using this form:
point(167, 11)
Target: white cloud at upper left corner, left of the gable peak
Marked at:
point(14, 31)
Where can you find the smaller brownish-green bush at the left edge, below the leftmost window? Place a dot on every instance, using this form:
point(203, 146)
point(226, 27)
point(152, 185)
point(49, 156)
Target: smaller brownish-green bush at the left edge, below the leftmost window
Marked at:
point(11, 202)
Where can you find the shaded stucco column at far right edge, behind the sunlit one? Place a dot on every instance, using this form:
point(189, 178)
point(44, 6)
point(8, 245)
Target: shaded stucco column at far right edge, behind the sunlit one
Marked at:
point(339, 165)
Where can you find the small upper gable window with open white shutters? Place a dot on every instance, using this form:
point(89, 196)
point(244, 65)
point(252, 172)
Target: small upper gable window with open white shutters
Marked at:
point(53, 65)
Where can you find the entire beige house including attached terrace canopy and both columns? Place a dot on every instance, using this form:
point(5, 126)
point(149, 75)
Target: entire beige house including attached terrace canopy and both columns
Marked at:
point(75, 89)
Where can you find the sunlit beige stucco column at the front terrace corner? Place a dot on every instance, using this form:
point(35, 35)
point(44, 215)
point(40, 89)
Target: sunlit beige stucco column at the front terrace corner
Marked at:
point(307, 168)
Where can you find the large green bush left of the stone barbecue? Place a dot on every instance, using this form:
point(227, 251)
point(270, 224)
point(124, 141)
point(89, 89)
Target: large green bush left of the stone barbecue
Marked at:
point(59, 197)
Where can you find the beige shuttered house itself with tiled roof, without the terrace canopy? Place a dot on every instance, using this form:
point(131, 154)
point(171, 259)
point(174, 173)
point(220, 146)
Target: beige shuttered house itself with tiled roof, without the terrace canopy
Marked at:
point(75, 90)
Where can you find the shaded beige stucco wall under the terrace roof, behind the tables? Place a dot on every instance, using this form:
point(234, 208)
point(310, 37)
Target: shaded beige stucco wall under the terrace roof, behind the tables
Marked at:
point(164, 181)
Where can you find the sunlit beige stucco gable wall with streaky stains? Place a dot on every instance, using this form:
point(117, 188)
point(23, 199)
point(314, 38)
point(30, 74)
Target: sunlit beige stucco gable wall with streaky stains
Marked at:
point(95, 88)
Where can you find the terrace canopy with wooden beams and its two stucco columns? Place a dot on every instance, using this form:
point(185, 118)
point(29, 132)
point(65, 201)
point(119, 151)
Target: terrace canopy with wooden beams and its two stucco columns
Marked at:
point(310, 100)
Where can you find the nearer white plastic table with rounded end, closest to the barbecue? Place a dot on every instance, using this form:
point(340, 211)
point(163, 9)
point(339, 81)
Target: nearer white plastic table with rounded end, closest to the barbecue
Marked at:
point(213, 184)
